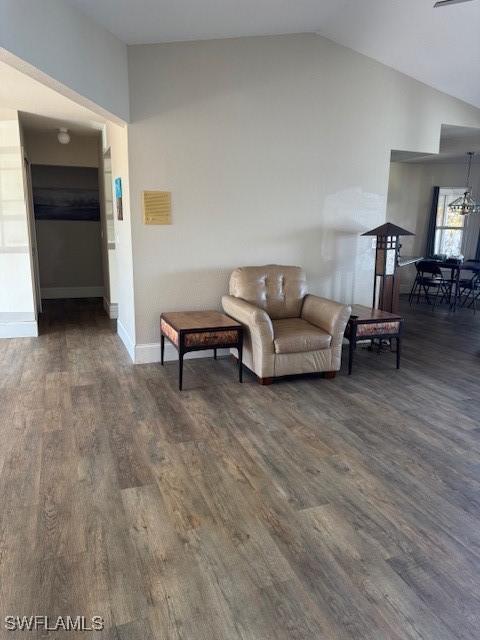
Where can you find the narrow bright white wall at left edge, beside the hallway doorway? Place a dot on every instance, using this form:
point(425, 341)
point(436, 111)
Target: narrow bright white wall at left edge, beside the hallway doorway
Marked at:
point(17, 306)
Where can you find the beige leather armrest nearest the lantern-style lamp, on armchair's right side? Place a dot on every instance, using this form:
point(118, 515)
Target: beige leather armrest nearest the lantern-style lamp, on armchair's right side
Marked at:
point(328, 315)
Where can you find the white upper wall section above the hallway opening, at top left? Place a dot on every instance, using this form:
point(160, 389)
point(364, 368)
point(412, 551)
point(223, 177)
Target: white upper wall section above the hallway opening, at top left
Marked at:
point(68, 48)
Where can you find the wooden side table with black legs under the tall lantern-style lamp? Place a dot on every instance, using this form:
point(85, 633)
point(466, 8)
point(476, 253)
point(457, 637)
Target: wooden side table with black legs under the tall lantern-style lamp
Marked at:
point(368, 324)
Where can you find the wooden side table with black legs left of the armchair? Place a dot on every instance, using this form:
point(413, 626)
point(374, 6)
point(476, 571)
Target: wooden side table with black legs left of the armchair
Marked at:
point(200, 330)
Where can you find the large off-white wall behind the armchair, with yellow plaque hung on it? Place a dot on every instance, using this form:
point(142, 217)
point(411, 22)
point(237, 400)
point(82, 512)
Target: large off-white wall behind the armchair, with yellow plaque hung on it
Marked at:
point(276, 149)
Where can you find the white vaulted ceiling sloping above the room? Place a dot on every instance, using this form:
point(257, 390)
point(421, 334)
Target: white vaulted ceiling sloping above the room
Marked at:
point(440, 47)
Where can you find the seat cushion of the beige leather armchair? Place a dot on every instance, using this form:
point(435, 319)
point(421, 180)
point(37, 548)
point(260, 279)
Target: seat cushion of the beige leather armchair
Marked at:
point(294, 335)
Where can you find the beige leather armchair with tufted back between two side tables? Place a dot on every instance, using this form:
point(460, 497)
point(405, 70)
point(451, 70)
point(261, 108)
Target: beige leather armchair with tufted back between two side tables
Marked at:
point(287, 331)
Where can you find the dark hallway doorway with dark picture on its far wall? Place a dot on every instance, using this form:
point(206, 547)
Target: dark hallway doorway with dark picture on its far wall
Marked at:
point(67, 193)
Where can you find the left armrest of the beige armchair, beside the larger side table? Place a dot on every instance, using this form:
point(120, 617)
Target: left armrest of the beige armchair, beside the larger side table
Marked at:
point(255, 319)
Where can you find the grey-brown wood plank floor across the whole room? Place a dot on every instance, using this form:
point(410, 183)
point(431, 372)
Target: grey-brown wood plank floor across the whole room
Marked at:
point(344, 509)
